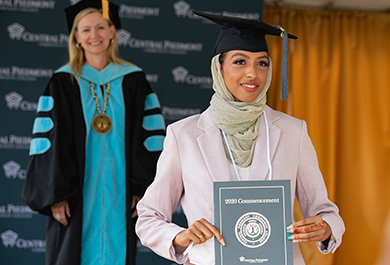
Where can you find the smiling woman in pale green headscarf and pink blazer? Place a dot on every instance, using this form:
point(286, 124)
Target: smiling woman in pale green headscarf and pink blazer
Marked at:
point(237, 138)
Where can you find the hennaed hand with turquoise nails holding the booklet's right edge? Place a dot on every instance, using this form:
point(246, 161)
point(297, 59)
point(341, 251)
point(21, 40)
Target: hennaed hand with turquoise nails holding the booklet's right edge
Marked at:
point(309, 229)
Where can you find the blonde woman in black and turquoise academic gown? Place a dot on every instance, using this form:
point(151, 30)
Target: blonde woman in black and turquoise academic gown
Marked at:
point(96, 140)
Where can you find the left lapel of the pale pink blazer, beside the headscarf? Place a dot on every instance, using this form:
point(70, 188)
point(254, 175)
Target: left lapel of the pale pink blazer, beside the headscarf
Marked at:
point(211, 147)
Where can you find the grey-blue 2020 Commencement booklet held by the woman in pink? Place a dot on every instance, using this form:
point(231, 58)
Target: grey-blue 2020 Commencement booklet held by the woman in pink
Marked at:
point(252, 217)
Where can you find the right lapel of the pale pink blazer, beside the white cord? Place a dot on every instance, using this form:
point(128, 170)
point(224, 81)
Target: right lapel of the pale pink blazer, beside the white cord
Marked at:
point(260, 168)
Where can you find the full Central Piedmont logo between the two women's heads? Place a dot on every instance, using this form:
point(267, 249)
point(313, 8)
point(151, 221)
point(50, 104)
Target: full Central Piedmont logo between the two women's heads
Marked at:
point(160, 46)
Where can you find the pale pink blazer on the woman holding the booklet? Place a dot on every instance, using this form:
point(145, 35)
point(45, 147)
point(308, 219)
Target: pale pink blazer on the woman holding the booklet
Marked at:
point(194, 157)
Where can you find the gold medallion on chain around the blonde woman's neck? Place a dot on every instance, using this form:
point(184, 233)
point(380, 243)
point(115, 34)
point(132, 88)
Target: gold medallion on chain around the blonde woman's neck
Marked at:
point(101, 123)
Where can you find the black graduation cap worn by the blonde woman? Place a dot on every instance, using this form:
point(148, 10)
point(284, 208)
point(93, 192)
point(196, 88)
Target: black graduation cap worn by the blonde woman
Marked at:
point(109, 10)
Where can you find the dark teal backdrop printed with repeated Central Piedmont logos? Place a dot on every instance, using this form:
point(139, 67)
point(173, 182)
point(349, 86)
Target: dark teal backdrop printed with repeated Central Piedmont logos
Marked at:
point(173, 46)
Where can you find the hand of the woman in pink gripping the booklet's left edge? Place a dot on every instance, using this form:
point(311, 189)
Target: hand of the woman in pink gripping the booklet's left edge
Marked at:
point(199, 232)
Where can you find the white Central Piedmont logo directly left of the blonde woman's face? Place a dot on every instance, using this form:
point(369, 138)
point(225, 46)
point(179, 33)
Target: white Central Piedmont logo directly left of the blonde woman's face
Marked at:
point(17, 32)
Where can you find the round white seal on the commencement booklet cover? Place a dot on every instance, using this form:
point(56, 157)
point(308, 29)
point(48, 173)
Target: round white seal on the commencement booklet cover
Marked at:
point(252, 230)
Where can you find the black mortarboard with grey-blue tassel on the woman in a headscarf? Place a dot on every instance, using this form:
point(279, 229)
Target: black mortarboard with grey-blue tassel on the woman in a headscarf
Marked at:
point(248, 35)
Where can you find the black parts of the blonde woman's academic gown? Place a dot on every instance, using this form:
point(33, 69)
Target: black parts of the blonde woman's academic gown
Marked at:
point(57, 174)
